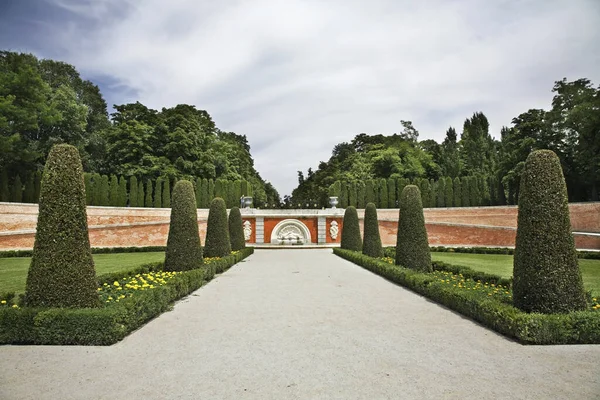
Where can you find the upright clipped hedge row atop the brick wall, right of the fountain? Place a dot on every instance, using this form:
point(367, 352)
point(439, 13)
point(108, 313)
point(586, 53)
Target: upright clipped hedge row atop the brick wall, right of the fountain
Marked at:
point(445, 192)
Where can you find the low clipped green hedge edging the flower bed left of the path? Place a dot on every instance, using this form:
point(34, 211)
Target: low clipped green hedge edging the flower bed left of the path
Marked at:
point(108, 325)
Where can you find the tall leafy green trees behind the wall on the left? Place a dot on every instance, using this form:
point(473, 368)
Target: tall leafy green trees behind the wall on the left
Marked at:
point(43, 102)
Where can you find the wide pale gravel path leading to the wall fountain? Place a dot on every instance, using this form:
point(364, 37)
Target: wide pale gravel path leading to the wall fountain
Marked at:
point(303, 324)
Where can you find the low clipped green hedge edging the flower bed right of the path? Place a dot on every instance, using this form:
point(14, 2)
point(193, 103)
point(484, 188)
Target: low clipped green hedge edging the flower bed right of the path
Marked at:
point(580, 327)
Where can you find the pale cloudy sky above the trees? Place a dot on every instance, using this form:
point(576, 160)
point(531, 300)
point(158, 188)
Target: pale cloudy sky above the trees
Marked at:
point(298, 76)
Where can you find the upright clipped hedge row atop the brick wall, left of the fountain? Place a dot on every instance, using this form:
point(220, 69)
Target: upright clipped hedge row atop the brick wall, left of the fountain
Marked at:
point(103, 190)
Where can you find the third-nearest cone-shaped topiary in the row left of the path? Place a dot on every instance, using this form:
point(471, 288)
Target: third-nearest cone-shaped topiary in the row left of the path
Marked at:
point(217, 231)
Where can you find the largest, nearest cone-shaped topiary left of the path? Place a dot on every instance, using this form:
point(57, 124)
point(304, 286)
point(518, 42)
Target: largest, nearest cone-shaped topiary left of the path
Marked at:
point(62, 271)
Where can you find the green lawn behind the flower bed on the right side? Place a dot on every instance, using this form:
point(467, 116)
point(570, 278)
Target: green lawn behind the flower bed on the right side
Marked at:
point(501, 264)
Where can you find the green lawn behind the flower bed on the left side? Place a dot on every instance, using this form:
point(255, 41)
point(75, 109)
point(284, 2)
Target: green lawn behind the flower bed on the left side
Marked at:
point(13, 271)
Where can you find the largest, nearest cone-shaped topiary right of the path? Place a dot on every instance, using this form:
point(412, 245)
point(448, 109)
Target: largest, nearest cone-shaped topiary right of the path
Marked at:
point(546, 274)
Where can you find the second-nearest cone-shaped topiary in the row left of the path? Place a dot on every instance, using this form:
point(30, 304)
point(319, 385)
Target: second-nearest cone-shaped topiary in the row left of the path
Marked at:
point(183, 244)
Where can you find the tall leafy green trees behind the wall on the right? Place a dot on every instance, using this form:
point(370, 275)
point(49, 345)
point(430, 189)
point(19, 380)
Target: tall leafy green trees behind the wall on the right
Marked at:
point(493, 166)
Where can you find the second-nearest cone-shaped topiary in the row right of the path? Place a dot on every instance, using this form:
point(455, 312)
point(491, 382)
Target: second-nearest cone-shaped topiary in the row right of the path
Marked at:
point(412, 245)
